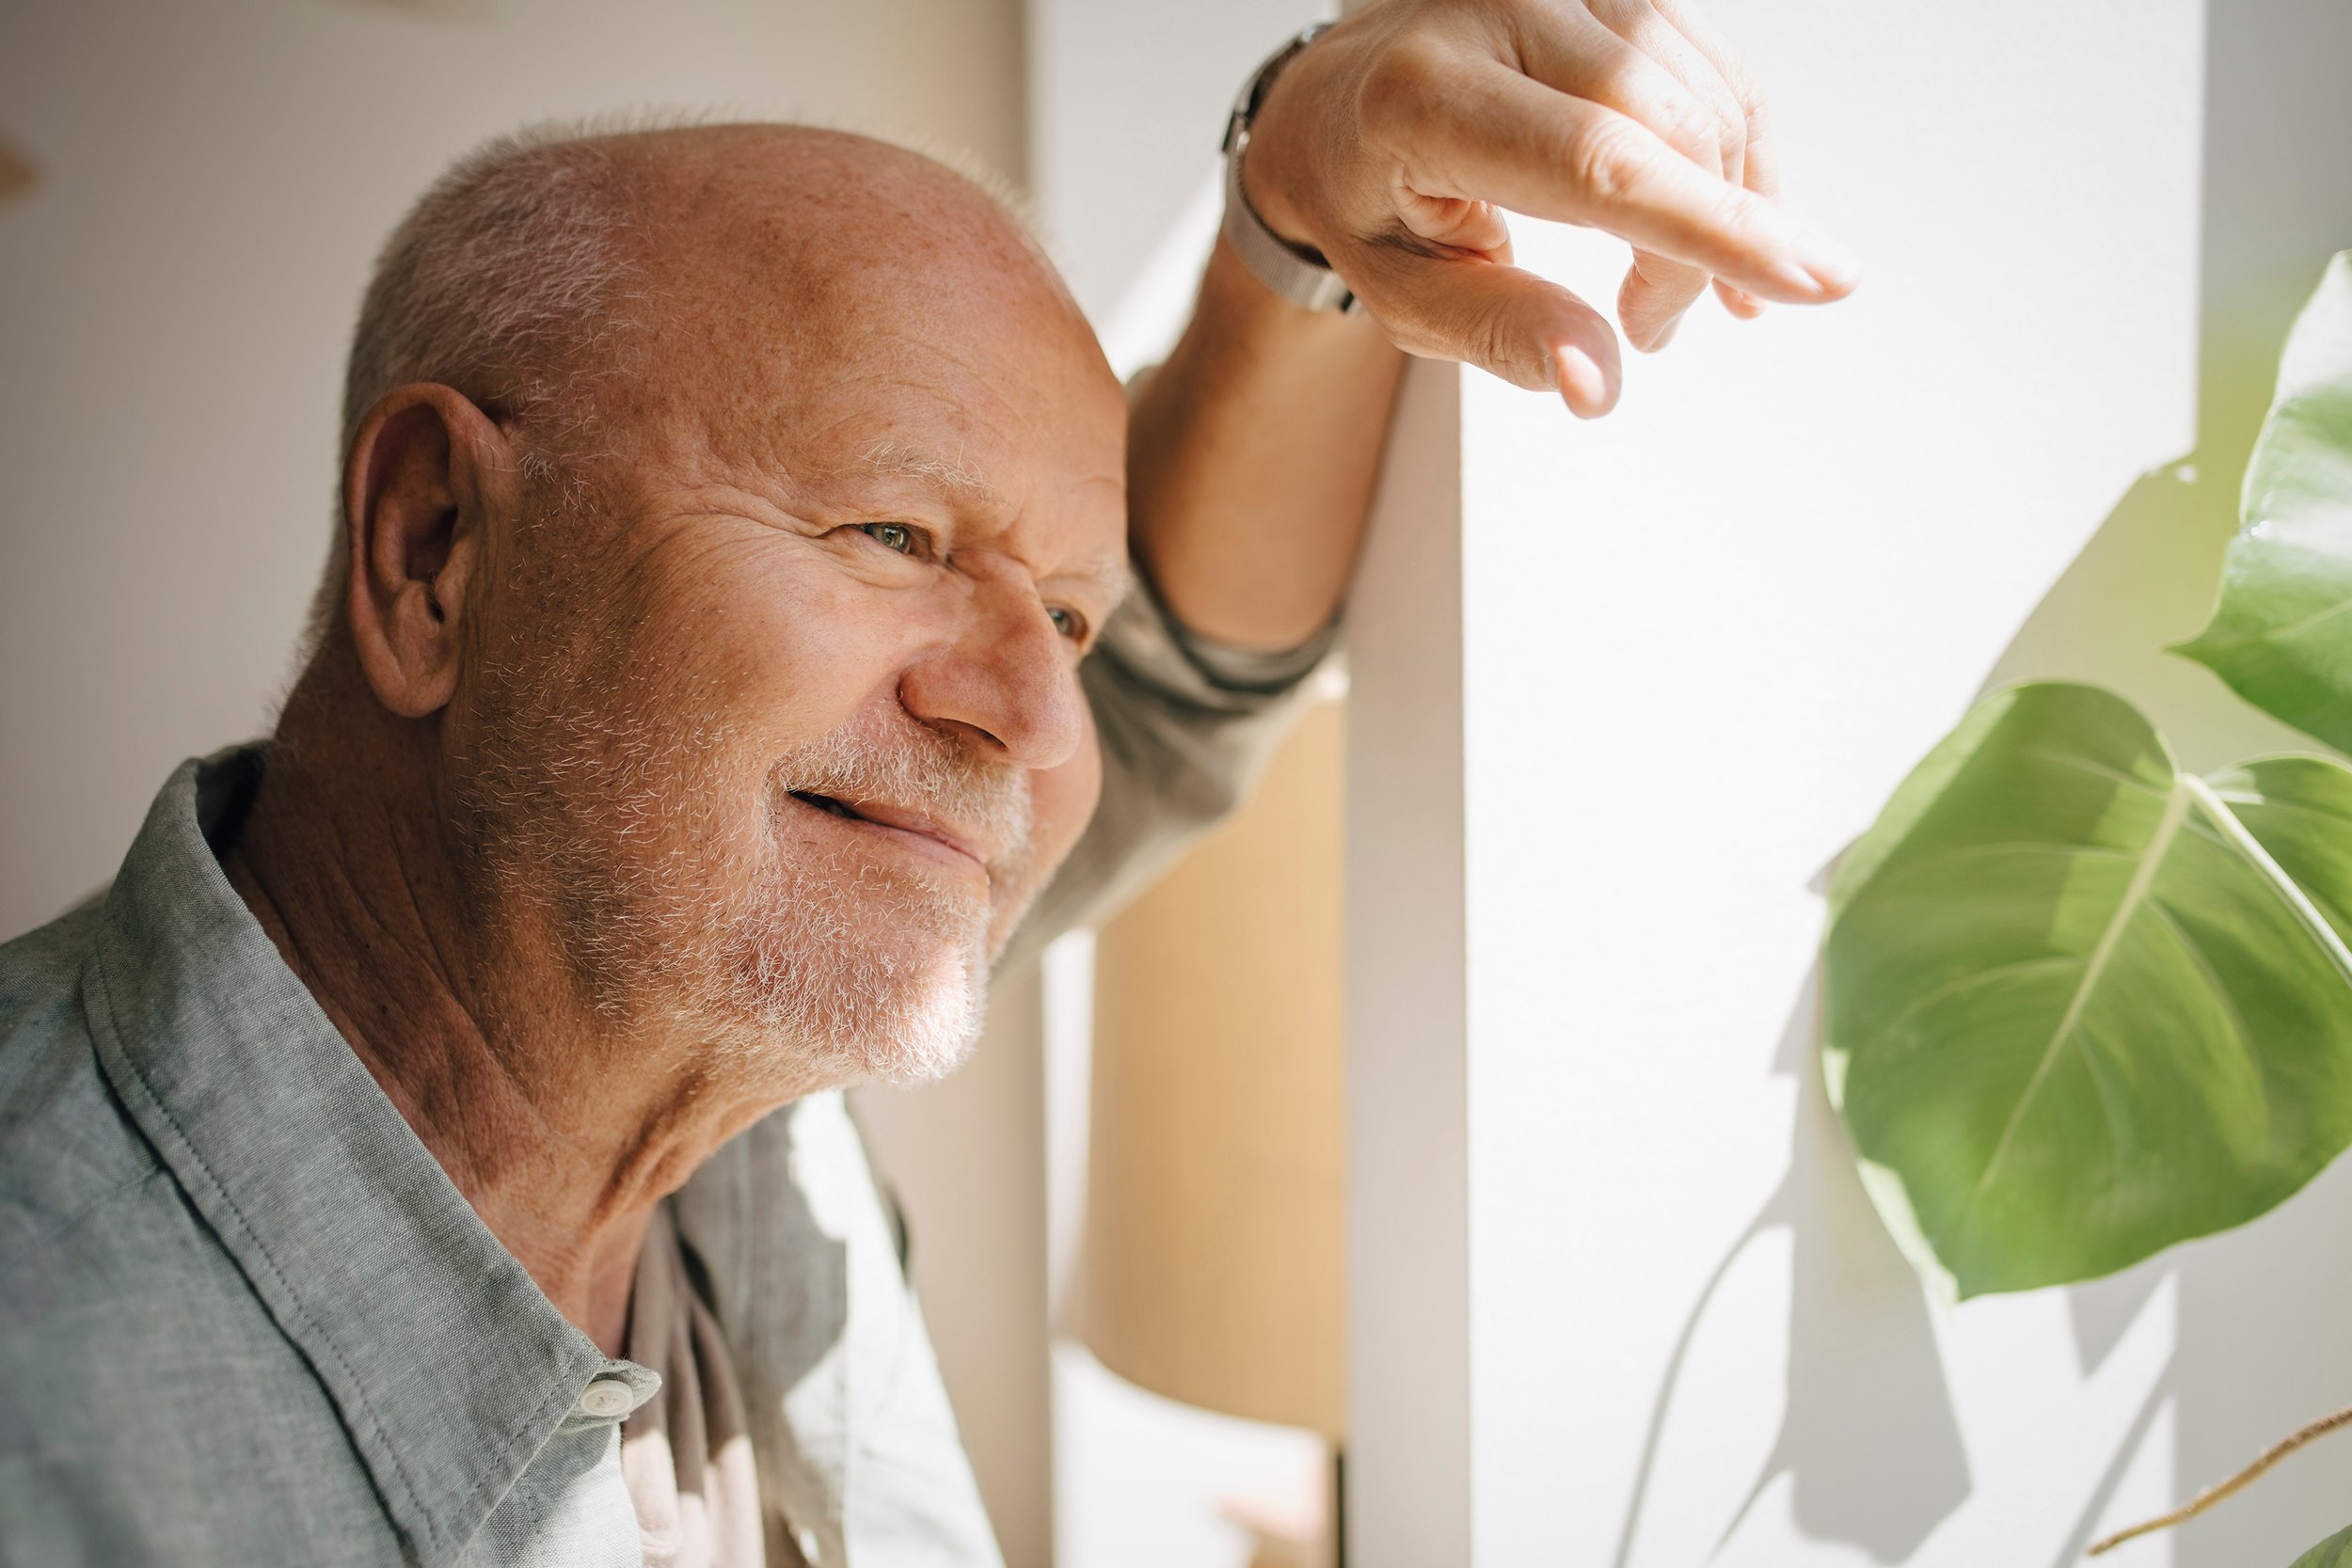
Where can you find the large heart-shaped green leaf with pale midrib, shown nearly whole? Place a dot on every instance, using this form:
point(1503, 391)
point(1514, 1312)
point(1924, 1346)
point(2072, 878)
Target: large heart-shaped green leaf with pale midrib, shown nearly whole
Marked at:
point(2080, 1005)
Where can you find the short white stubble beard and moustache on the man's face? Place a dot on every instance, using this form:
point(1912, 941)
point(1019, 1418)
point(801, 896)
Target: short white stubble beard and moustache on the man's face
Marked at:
point(799, 953)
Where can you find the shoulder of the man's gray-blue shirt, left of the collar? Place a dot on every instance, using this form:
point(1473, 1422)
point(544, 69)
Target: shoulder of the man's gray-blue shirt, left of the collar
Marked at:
point(147, 1398)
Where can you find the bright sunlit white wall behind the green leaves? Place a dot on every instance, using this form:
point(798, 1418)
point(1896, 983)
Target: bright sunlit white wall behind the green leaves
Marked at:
point(1699, 645)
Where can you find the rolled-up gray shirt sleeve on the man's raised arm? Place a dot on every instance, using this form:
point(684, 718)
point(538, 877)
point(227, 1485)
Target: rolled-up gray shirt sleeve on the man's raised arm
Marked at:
point(1187, 728)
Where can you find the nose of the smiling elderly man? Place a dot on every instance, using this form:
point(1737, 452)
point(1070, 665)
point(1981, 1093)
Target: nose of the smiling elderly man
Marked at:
point(1008, 676)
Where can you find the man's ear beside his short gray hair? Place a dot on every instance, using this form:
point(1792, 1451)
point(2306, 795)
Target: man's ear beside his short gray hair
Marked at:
point(427, 469)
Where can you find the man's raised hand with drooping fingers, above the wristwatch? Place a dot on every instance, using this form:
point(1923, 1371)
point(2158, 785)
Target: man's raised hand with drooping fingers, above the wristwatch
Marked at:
point(1396, 140)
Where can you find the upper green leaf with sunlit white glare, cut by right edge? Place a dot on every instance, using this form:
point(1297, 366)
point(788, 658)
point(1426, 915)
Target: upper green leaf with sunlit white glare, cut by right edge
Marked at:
point(2283, 631)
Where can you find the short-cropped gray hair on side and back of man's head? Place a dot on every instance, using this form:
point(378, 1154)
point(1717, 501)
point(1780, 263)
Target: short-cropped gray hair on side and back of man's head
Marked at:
point(502, 283)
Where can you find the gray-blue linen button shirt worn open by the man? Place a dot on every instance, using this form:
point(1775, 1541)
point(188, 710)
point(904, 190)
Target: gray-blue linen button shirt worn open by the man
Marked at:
point(248, 1320)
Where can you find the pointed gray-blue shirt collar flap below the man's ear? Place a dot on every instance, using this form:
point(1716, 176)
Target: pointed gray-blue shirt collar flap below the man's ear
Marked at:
point(446, 1360)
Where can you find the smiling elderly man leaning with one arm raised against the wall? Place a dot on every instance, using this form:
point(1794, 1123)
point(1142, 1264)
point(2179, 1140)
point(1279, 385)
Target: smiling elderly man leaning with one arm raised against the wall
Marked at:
point(429, 1151)
